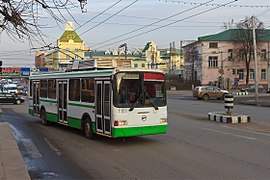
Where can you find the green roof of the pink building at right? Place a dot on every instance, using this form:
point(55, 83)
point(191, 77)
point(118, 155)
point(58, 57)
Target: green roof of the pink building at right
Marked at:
point(230, 35)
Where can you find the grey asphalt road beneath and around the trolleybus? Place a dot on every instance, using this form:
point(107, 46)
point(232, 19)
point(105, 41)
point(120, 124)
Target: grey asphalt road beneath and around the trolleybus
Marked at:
point(193, 148)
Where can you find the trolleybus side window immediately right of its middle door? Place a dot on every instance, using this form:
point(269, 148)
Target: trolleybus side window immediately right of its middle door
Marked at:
point(74, 90)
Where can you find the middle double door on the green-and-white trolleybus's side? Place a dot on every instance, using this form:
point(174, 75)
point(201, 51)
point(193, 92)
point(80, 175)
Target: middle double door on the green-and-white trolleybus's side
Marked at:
point(62, 101)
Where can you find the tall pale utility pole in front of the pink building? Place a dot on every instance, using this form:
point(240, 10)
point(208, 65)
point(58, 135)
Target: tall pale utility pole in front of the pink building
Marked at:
point(255, 60)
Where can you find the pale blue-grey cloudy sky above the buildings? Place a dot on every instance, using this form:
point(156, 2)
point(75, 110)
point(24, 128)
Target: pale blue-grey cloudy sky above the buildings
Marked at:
point(106, 24)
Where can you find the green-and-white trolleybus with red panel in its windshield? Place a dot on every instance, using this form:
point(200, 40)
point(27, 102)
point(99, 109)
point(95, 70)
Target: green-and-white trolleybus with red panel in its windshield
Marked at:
point(109, 102)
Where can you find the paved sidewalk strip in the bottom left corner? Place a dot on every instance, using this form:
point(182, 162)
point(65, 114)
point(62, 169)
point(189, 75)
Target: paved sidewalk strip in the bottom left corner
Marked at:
point(12, 164)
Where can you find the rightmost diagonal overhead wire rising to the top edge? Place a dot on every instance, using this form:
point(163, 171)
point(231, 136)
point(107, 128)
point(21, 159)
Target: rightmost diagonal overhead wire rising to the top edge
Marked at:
point(196, 14)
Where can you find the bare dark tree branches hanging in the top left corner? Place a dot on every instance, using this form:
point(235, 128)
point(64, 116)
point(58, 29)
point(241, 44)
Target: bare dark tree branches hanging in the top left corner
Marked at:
point(21, 18)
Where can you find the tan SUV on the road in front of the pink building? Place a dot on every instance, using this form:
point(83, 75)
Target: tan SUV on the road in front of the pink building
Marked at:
point(206, 92)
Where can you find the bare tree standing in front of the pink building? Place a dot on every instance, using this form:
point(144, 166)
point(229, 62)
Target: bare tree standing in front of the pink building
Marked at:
point(243, 40)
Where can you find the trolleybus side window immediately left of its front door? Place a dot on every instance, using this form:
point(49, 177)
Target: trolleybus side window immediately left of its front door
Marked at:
point(87, 90)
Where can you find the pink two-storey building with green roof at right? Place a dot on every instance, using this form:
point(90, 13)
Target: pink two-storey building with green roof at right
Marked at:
point(219, 59)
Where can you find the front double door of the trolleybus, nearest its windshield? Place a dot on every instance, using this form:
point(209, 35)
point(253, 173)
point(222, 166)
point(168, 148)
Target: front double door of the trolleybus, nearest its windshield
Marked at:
point(103, 107)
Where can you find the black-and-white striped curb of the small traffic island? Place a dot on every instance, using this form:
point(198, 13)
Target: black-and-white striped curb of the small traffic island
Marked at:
point(224, 118)
